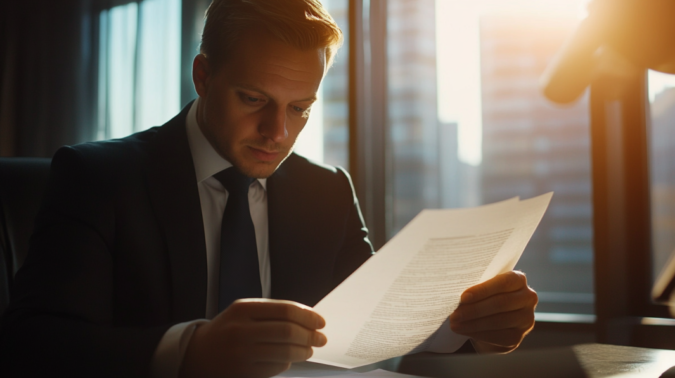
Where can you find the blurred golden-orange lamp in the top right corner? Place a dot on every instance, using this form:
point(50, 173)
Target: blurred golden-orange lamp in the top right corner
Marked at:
point(618, 38)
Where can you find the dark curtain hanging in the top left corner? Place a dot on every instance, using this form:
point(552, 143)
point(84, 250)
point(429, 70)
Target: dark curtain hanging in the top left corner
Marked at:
point(48, 73)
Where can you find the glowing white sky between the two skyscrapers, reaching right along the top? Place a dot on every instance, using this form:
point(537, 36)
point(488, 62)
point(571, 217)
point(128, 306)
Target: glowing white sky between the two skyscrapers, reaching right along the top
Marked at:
point(458, 60)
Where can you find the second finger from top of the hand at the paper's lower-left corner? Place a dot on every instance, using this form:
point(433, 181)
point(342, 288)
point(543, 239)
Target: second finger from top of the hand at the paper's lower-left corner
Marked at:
point(282, 332)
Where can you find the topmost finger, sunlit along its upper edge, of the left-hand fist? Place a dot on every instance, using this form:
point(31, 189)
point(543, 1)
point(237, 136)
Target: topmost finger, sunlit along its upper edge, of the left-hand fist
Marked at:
point(267, 309)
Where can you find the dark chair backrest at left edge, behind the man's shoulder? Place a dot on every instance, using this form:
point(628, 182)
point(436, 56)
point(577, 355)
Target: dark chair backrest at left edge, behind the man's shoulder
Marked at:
point(22, 185)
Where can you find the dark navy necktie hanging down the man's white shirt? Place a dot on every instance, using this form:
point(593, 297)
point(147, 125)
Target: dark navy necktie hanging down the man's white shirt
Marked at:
point(239, 268)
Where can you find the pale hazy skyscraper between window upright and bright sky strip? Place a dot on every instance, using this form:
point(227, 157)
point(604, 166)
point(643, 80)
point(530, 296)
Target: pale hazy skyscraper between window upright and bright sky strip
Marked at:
point(413, 122)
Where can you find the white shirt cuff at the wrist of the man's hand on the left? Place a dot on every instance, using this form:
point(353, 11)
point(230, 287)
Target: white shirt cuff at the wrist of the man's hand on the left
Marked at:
point(171, 349)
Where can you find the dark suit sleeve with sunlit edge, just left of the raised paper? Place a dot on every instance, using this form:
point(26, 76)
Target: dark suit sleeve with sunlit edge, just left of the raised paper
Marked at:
point(356, 247)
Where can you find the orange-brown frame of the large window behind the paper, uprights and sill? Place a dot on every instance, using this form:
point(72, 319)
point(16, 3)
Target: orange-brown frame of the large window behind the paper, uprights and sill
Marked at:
point(620, 184)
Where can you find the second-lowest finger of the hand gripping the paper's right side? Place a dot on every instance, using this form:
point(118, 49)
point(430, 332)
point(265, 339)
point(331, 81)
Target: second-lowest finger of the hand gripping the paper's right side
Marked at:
point(521, 319)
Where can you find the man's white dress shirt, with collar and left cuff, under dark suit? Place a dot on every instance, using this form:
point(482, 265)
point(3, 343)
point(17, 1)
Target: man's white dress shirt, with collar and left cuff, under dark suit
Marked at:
point(213, 198)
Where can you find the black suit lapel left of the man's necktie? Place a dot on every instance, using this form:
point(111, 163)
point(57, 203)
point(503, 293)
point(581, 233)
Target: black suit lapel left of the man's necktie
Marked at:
point(172, 186)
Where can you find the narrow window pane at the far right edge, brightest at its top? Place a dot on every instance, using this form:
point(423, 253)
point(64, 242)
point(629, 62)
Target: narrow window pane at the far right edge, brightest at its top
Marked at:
point(662, 167)
